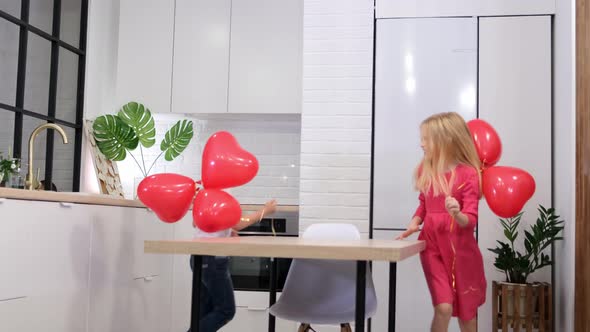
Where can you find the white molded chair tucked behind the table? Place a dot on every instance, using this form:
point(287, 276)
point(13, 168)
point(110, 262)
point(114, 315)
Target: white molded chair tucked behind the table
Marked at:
point(324, 291)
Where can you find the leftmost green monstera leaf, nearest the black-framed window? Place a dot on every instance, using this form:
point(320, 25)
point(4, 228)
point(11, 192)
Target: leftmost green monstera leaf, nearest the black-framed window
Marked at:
point(113, 137)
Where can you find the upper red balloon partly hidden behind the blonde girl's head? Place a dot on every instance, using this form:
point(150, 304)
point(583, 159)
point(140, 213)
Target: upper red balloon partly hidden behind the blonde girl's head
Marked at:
point(487, 142)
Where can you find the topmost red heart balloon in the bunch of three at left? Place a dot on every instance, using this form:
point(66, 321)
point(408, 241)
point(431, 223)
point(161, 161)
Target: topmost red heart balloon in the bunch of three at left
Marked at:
point(225, 163)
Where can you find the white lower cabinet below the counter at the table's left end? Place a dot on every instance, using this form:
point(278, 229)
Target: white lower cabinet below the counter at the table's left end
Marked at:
point(129, 290)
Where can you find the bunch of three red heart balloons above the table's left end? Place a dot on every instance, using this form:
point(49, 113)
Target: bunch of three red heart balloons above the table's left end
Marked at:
point(225, 164)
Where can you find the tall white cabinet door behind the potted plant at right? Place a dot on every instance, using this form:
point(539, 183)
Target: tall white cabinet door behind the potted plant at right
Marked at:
point(515, 98)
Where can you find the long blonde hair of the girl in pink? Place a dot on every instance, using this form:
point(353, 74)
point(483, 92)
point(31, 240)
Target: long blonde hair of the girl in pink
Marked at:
point(448, 142)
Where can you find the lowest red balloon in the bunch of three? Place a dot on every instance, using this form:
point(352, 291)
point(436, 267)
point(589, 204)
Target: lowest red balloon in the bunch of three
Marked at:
point(215, 210)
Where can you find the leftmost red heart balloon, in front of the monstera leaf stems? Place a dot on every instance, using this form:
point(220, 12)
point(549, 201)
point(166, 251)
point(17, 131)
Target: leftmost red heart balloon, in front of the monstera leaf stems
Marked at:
point(168, 195)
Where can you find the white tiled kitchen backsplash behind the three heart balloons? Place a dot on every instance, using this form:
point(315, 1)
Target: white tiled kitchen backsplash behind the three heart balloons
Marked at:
point(273, 139)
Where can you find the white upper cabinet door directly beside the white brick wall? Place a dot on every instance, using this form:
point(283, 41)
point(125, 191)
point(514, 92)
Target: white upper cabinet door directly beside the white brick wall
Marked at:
point(266, 56)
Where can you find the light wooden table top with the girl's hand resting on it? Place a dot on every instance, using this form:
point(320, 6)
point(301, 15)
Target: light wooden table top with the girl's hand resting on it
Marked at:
point(290, 247)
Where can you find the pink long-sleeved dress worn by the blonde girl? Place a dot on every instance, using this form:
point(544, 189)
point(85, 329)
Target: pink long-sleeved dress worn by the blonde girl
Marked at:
point(452, 262)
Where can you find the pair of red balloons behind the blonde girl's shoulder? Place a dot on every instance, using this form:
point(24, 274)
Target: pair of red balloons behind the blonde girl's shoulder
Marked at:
point(506, 189)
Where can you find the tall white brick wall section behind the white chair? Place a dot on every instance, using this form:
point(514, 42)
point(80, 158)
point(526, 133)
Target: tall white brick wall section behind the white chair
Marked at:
point(336, 116)
